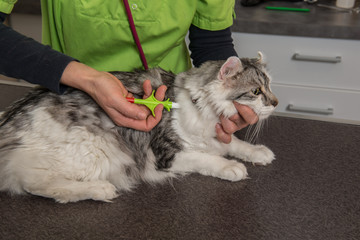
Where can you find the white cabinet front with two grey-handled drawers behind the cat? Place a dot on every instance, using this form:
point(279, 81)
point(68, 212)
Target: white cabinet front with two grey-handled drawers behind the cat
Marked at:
point(326, 85)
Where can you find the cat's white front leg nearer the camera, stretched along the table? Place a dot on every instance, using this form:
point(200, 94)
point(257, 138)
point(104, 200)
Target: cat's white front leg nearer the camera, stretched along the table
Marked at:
point(210, 165)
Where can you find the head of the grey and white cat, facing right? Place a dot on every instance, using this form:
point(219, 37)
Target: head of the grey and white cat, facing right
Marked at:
point(247, 82)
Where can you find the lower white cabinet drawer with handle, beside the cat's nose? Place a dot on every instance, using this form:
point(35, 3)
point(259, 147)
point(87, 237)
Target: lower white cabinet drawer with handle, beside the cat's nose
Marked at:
point(321, 103)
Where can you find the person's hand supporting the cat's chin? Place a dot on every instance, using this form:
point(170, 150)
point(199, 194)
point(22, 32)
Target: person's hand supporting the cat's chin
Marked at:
point(227, 126)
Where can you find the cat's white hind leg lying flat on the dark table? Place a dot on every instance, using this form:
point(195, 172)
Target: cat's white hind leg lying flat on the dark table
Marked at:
point(64, 190)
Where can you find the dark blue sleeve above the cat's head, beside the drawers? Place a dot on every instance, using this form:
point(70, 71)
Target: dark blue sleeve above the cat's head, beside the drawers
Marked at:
point(210, 45)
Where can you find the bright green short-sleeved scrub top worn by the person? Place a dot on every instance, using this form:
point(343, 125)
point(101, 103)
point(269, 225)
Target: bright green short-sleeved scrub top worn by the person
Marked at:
point(97, 33)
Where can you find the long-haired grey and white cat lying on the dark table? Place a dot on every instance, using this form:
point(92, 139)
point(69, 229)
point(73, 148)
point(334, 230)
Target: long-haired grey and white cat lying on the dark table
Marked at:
point(65, 147)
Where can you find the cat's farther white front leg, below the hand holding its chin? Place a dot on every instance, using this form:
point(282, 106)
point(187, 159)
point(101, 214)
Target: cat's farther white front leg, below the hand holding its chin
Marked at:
point(257, 154)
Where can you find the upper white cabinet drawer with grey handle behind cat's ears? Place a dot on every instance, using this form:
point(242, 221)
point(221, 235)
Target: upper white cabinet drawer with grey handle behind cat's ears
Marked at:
point(280, 50)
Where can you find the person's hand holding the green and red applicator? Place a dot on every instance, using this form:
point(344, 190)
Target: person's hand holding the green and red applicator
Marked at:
point(111, 95)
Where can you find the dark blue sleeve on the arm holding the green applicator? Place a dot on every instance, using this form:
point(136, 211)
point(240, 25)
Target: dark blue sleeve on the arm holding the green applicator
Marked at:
point(24, 58)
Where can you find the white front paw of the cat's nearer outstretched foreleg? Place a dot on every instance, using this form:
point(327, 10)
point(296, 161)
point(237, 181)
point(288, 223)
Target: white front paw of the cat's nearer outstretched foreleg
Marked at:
point(233, 171)
